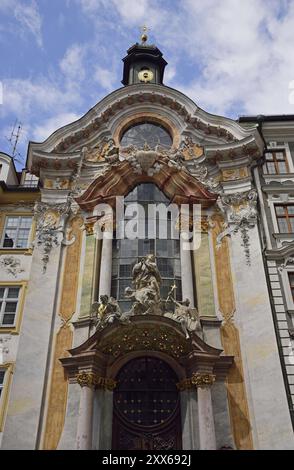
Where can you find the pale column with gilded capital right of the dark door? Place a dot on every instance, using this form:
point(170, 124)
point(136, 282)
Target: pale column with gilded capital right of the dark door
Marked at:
point(203, 383)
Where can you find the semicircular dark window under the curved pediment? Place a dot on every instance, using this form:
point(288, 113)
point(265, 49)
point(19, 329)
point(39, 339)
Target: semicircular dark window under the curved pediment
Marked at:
point(146, 133)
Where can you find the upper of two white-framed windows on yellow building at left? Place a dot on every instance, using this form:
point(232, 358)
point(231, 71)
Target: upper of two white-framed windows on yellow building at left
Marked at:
point(16, 232)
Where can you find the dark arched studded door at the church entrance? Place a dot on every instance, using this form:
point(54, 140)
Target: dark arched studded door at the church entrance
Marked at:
point(146, 411)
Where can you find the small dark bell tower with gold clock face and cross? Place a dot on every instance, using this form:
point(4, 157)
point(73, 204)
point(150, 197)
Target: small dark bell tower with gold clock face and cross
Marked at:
point(144, 63)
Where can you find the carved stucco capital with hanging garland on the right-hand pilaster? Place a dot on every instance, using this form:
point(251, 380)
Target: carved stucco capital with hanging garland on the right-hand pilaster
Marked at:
point(241, 214)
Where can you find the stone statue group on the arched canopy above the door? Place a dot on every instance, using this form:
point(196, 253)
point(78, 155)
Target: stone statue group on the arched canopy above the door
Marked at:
point(146, 299)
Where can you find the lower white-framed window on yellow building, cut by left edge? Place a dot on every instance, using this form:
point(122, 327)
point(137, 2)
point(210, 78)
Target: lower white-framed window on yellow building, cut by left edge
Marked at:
point(9, 297)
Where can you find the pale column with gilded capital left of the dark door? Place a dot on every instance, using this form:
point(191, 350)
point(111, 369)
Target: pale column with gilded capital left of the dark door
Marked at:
point(85, 419)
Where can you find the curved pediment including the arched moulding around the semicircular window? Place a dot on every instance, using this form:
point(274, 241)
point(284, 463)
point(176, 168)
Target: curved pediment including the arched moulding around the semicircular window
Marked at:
point(109, 117)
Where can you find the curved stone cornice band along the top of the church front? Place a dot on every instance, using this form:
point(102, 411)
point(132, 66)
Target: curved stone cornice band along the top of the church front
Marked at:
point(209, 127)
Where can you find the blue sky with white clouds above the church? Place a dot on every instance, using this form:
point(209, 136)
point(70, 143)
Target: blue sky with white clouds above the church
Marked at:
point(60, 57)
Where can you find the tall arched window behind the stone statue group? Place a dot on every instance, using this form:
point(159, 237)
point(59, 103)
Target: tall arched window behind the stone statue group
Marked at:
point(126, 253)
